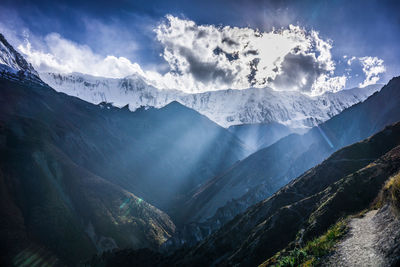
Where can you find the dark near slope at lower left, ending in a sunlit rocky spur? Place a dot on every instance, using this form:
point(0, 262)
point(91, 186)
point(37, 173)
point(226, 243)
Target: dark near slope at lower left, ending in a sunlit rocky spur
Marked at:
point(50, 204)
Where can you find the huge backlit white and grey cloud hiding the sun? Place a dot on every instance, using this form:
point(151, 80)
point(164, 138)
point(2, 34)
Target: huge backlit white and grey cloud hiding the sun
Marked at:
point(232, 57)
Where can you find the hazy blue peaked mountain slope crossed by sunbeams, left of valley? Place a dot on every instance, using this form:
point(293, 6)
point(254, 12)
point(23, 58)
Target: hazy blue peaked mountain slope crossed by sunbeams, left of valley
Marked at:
point(159, 158)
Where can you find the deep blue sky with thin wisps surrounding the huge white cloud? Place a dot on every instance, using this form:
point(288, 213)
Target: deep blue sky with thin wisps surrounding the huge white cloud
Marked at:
point(373, 29)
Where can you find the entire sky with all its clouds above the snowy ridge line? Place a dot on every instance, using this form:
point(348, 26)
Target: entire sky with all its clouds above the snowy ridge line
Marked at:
point(197, 46)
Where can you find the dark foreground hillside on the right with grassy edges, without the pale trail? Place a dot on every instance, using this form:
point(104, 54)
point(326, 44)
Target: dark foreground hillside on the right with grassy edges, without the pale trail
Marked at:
point(352, 181)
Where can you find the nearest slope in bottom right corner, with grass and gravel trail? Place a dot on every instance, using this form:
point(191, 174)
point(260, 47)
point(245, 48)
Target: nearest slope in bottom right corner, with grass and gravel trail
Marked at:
point(368, 238)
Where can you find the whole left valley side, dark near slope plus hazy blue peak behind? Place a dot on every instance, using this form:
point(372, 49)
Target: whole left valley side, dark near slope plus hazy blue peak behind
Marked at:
point(78, 178)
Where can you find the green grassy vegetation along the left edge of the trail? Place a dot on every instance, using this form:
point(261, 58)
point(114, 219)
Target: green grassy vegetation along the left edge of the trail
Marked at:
point(310, 254)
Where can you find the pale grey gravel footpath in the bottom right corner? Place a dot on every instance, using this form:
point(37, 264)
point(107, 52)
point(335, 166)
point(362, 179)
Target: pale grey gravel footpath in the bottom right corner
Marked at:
point(358, 247)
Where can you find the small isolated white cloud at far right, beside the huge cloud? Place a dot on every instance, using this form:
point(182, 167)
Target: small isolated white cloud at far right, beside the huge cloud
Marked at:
point(372, 67)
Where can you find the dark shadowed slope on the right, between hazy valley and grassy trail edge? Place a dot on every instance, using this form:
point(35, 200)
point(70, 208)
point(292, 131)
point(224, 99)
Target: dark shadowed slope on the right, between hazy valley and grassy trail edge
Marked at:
point(344, 184)
